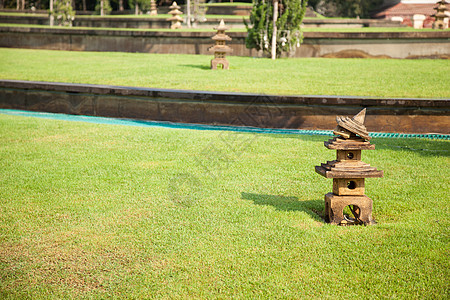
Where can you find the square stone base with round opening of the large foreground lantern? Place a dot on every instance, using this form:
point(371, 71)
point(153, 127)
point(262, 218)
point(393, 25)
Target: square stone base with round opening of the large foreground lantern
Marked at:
point(361, 207)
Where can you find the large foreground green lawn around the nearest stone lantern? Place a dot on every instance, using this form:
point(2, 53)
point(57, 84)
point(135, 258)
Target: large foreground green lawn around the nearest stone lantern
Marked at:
point(100, 211)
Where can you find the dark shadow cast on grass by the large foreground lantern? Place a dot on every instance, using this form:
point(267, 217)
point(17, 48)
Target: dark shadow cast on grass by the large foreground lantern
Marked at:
point(314, 208)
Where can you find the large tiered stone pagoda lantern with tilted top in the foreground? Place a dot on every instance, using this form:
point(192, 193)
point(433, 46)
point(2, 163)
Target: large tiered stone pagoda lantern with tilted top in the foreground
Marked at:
point(348, 173)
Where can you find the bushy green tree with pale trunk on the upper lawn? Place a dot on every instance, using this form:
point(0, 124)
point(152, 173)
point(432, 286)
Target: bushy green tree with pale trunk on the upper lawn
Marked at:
point(286, 23)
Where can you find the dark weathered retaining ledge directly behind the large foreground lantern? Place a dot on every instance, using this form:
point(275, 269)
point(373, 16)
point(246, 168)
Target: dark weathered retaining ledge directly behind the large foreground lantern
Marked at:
point(220, 108)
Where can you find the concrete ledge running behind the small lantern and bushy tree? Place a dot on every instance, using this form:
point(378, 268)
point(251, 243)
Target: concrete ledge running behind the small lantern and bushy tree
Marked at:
point(435, 44)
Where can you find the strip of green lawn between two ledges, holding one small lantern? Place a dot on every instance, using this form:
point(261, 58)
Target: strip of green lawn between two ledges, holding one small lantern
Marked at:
point(358, 77)
